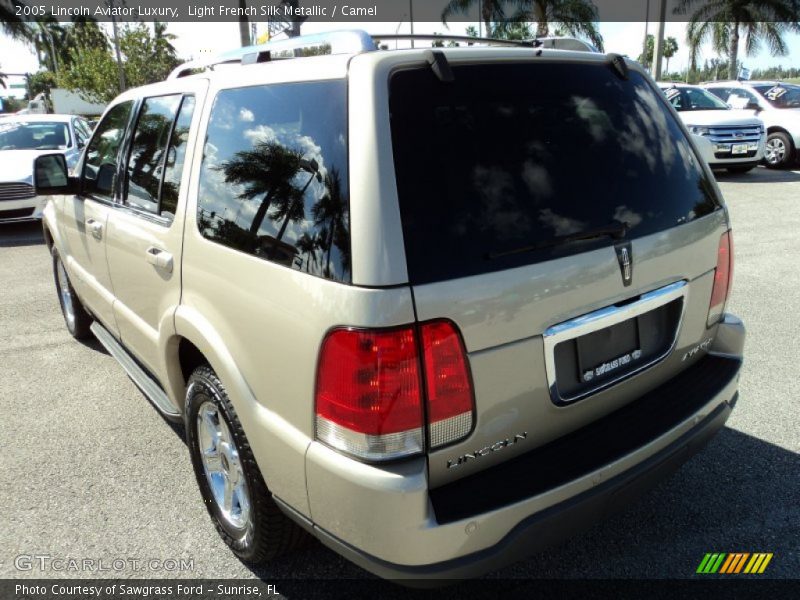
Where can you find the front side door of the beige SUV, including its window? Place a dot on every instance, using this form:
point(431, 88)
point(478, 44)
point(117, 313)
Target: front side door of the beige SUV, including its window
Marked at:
point(84, 216)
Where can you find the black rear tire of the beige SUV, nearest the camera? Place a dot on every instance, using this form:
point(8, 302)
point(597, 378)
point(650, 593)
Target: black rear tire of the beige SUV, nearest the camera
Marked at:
point(267, 532)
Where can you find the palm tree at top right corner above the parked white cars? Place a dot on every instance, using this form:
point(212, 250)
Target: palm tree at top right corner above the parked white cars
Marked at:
point(724, 22)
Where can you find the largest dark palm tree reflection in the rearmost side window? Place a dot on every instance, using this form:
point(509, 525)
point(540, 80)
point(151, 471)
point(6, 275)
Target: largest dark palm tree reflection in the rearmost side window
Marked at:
point(266, 171)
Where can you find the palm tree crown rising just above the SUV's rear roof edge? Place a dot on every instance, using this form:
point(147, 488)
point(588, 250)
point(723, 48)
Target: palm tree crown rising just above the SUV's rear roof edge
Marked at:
point(575, 17)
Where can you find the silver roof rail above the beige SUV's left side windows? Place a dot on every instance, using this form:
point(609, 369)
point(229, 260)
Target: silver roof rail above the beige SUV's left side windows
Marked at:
point(334, 42)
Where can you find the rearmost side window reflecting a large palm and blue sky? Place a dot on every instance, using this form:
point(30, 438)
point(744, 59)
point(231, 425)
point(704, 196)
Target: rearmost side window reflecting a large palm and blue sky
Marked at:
point(274, 176)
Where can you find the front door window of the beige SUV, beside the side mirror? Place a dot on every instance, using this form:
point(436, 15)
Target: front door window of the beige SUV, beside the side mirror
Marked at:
point(102, 154)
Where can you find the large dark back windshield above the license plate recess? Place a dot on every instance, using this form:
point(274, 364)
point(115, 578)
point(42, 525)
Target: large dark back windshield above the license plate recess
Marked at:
point(508, 164)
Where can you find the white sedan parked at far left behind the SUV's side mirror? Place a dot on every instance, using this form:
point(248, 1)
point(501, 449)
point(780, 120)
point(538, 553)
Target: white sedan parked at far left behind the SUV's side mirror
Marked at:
point(22, 139)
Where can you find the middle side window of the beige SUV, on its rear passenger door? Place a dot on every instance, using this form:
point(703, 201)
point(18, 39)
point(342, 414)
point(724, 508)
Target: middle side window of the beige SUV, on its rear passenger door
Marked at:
point(146, 163)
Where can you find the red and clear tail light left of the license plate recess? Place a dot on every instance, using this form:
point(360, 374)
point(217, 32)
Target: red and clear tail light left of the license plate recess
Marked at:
point(369, 395)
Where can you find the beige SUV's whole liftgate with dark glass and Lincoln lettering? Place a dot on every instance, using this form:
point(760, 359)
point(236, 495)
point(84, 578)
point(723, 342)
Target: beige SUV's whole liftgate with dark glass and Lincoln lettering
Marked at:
point(557, 214)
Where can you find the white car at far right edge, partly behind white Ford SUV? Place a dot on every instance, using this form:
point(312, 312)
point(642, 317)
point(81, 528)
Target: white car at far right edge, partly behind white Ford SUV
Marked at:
point(775, 103)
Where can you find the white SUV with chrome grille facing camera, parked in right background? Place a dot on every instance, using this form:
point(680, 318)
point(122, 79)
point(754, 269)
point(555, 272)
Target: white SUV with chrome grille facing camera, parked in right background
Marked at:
point(727, 139)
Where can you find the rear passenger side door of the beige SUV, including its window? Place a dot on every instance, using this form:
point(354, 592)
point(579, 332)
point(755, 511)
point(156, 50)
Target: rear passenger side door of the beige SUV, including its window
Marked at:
point(146, 228)
